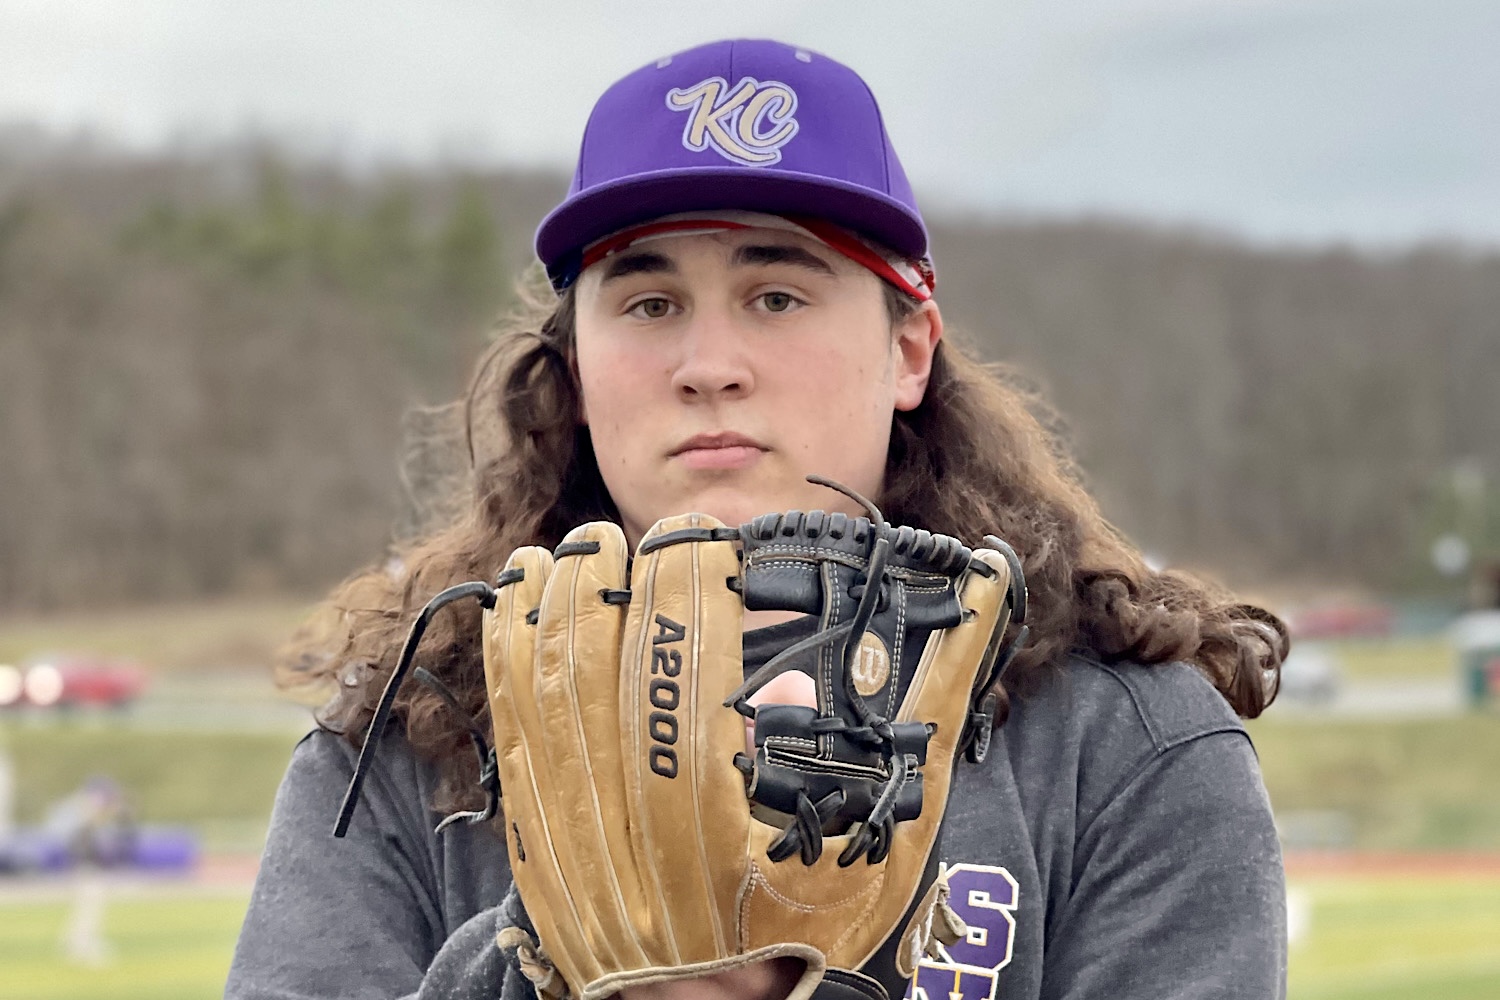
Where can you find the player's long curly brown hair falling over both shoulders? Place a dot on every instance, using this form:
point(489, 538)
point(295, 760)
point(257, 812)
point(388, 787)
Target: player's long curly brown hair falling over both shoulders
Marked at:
point(979, 455)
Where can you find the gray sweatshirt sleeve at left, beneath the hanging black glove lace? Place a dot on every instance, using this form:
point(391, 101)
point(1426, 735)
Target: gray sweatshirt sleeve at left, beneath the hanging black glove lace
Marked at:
point(367, 917)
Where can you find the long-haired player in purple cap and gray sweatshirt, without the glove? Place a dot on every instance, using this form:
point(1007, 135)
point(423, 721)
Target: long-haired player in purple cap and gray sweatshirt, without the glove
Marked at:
point(742, 295)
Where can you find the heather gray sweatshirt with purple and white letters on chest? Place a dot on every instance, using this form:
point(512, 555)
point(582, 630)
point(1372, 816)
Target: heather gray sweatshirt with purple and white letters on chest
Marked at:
point(1115, 843)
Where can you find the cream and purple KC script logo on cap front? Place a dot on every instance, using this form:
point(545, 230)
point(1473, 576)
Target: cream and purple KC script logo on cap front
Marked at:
point(746, 125)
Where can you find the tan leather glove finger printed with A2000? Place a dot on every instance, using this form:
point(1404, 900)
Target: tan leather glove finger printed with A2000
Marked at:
point(688, 803)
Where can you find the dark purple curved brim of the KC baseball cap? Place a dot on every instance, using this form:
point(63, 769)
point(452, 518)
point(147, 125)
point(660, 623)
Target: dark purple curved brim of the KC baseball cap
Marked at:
point(644, 197)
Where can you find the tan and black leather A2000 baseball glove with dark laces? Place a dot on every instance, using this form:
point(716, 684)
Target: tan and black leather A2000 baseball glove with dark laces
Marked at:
point(646, 843)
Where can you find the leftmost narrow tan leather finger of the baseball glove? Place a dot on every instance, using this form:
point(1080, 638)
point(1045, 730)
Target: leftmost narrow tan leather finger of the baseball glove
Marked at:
point(509, 644)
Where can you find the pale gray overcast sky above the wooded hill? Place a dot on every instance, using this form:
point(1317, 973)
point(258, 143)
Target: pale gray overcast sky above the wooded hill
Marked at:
point(1309, 121)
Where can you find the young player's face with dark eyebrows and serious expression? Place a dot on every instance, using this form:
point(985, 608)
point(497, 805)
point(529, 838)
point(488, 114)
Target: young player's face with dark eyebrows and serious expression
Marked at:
point(719, 371)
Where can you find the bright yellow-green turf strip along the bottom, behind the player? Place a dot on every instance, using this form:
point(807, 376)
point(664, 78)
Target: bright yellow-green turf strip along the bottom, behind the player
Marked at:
point(1370, 938)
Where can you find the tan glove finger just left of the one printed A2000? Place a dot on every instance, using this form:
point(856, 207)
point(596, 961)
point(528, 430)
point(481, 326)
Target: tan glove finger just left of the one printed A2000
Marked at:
point(578, 656)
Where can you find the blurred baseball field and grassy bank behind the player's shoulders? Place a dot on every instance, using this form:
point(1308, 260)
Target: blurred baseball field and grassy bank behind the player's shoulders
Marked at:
point(1394, 876)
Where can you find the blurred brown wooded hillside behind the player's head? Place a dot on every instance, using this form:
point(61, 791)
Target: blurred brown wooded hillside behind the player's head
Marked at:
point(205, 364)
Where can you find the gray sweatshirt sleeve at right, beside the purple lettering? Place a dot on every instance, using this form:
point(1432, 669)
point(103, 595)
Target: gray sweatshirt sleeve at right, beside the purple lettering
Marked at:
point(1178, 890)
